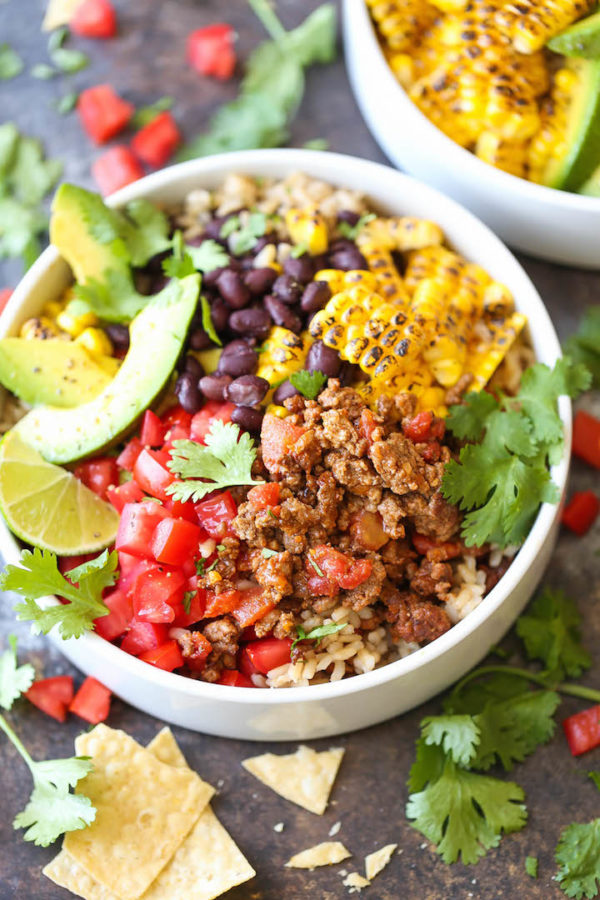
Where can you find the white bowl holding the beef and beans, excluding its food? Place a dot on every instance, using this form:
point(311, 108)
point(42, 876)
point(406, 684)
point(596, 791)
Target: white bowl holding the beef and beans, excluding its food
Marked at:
point(327, 709)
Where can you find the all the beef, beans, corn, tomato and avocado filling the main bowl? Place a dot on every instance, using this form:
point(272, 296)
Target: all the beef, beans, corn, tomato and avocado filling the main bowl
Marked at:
point(294, 508)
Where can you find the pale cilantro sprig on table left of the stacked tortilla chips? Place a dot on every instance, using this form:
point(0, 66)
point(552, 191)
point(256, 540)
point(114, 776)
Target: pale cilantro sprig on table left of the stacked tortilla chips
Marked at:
point(52, 809)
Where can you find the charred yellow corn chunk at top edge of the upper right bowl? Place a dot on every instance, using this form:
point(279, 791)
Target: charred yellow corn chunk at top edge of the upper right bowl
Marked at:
point(531, 23)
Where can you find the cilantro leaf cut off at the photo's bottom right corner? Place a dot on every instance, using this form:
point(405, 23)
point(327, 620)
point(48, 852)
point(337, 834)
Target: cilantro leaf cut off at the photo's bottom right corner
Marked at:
point(578, 855)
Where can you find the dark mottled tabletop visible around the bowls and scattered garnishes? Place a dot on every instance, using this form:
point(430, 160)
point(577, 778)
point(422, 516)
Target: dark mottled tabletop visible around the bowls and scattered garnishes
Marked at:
point(145, 62)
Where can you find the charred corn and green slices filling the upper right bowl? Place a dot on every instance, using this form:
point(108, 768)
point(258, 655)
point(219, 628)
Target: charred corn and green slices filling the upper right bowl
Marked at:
point(507, 81)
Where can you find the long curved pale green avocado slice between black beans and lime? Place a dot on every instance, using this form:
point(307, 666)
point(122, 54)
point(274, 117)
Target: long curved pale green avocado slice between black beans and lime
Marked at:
point(157, 335)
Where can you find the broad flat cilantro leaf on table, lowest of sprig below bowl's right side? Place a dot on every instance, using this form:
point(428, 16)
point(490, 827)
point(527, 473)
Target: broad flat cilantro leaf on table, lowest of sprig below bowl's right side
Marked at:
point(464, 813)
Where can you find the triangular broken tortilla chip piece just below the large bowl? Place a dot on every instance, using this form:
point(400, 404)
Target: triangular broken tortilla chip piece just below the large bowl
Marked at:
point(304, 777)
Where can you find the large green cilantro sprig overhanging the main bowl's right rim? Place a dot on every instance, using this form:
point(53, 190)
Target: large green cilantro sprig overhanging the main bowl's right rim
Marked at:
point(503, 477)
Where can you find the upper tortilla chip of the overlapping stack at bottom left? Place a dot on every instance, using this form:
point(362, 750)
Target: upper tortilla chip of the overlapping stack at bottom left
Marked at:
point(145, 809)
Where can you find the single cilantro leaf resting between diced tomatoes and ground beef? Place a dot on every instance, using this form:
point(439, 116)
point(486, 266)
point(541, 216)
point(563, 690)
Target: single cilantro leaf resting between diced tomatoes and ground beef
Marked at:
point(226, 460)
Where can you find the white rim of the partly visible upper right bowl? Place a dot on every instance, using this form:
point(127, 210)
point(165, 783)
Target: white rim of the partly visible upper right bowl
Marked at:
point(356, 12)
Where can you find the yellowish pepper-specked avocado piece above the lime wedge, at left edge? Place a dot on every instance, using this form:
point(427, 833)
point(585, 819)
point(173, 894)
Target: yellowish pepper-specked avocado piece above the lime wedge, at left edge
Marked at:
point(54, 372)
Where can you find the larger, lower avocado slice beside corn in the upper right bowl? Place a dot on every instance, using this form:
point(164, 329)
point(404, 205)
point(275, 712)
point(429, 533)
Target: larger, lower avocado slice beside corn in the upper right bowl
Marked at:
point(582, 134)
